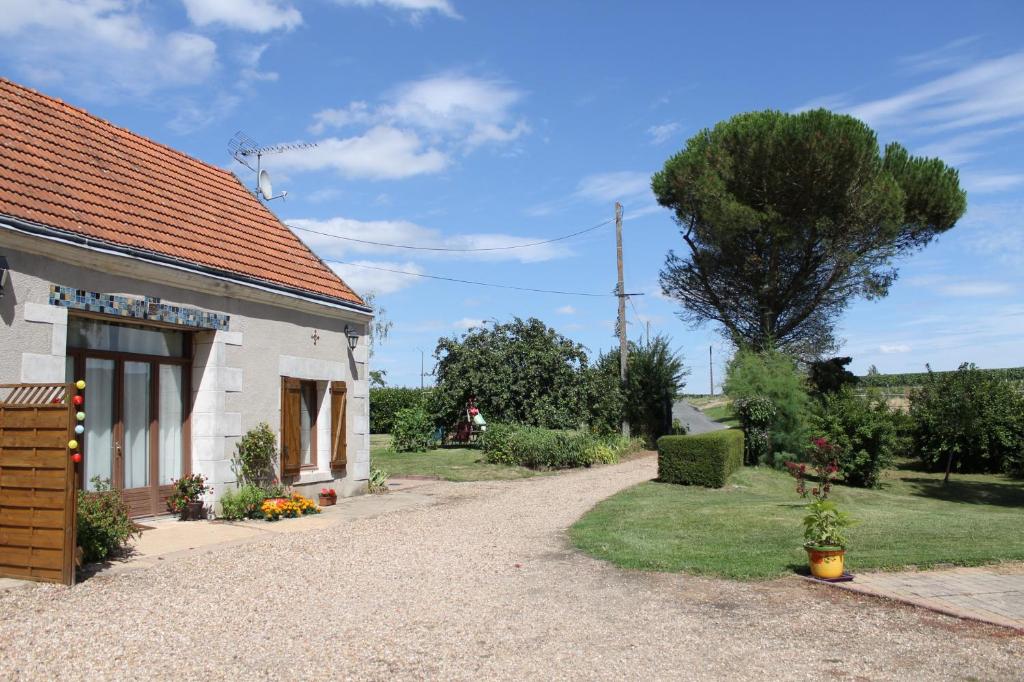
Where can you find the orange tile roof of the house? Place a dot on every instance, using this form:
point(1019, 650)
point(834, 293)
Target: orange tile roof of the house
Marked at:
point(64, 168)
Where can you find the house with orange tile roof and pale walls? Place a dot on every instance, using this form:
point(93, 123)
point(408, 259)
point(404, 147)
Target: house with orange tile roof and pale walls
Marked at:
point(190, 310)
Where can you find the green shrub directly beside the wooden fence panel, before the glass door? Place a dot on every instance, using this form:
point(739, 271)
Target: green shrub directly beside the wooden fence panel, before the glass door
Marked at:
point(104, 527)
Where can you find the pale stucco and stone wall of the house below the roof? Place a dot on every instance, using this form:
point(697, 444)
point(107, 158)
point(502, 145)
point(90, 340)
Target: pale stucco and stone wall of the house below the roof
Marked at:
point(236, 375)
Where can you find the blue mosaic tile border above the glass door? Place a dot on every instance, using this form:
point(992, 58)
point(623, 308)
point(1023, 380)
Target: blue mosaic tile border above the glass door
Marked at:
point(137, 309)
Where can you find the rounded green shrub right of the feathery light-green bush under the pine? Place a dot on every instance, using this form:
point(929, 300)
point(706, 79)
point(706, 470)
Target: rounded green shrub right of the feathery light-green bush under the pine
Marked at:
point(865, 433)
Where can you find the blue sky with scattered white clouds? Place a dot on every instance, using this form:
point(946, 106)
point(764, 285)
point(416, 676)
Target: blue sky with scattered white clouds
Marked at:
point(480, 124)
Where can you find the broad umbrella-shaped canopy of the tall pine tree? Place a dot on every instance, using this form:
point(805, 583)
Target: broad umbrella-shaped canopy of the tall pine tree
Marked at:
point(788, 218)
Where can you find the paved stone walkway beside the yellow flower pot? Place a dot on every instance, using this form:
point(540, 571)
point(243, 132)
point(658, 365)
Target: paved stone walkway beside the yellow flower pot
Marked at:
point(991, 594)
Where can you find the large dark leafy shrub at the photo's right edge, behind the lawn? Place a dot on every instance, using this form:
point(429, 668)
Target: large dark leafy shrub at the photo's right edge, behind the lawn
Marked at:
point(969, 421)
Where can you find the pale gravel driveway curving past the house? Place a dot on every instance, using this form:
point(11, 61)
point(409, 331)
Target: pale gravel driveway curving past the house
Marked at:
point(483, 585)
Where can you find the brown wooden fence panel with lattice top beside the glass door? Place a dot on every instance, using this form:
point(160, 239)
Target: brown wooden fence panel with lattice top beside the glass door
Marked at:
point(37, 483)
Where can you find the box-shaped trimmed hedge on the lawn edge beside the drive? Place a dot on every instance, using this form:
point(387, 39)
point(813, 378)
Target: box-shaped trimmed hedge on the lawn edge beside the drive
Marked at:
point(705, 459)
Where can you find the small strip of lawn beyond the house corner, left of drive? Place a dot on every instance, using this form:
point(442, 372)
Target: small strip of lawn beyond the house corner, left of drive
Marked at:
point(458, 464)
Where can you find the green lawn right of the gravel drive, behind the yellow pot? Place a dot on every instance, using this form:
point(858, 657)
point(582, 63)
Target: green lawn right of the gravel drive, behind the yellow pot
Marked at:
point(752, 529)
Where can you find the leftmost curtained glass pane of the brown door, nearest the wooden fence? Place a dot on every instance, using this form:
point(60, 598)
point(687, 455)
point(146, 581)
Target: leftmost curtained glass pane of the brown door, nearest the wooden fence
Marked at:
point(99, 420)
